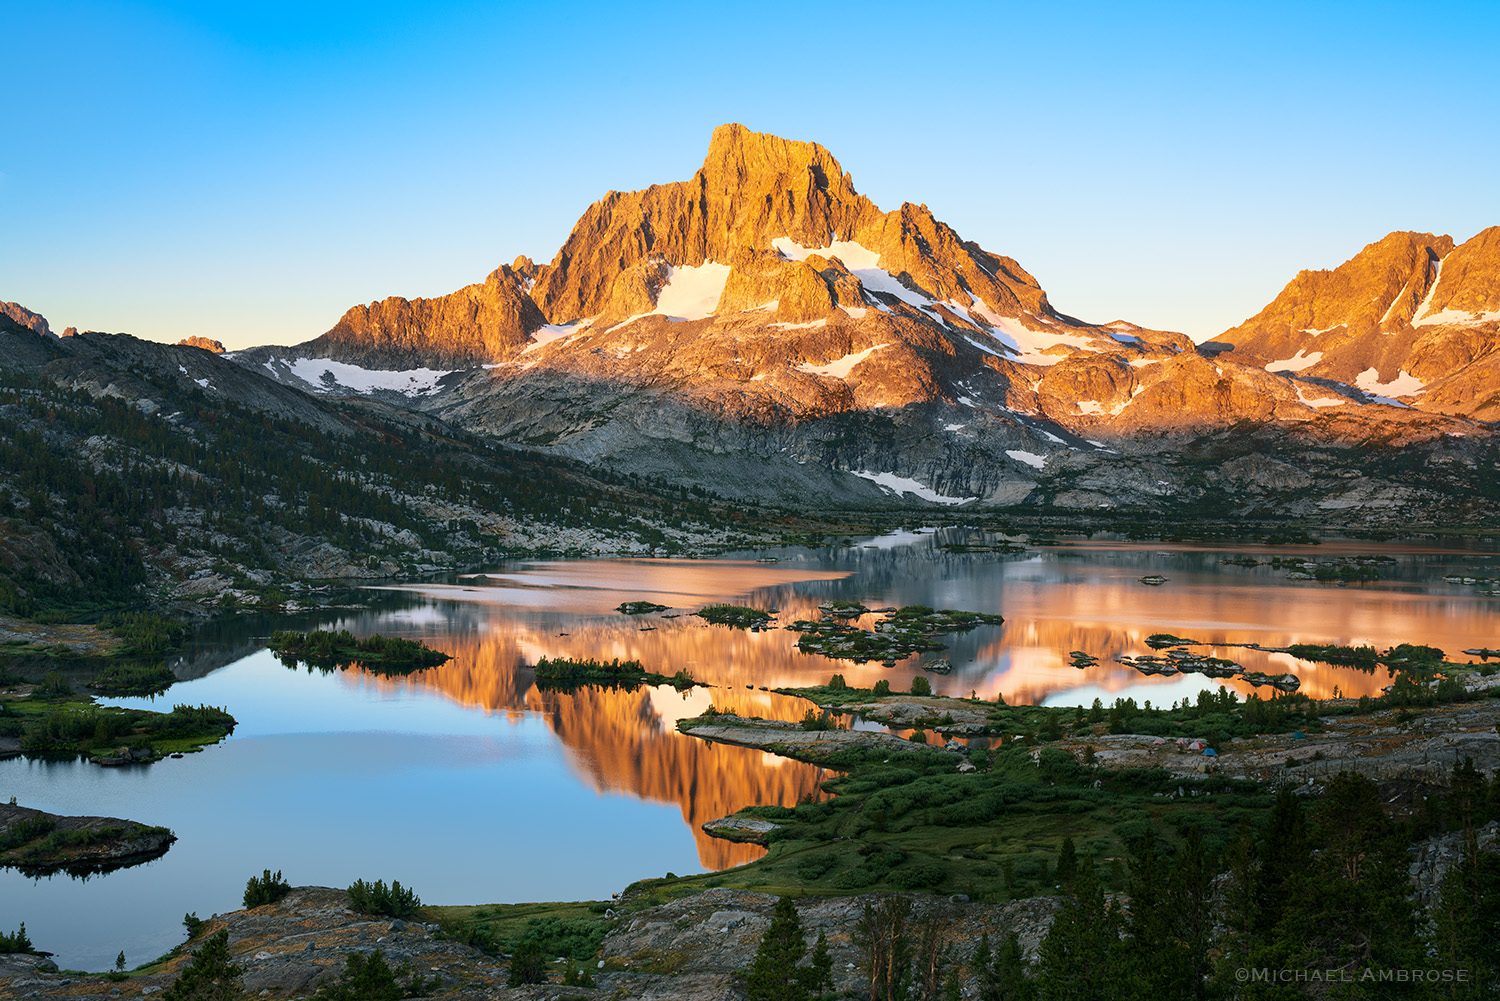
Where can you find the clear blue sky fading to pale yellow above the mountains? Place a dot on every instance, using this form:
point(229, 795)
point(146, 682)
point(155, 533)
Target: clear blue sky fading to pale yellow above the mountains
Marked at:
point(250, 172)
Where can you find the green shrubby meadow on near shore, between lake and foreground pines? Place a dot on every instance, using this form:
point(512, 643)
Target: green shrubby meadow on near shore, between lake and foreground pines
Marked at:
point(902, 823)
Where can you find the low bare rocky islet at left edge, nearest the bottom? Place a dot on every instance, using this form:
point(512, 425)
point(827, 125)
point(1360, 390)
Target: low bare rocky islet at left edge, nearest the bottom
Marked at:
point(38, 843)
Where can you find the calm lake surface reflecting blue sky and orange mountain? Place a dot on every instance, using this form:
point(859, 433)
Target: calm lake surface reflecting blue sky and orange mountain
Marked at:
point(472, 786)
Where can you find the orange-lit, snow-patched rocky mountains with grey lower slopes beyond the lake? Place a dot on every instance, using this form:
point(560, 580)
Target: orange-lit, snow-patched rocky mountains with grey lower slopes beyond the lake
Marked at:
point(766, 331)
